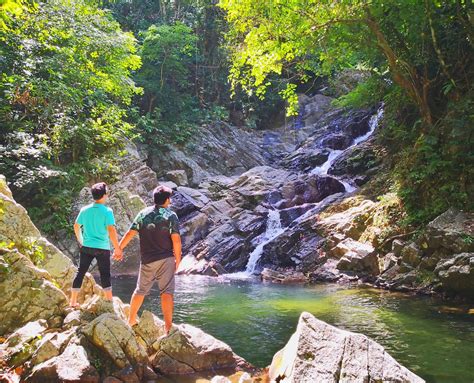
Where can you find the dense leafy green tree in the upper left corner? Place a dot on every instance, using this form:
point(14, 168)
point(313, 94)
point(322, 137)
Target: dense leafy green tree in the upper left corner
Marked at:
point(64, 93)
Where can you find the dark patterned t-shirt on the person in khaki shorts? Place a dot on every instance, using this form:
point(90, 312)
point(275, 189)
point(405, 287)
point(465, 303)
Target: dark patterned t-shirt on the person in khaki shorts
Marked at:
point(155, 226)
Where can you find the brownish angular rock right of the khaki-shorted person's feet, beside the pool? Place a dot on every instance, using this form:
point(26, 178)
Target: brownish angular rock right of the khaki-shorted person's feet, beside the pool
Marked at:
point(189, 350)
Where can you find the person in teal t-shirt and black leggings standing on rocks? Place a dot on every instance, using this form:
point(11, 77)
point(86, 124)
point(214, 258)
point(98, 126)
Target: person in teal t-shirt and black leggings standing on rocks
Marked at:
point(94, 229)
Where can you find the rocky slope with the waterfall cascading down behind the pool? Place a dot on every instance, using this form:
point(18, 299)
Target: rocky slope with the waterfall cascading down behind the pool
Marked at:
point(308, 204)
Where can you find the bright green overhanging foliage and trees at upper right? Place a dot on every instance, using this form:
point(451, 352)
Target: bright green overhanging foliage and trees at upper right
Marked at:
point(421, 55)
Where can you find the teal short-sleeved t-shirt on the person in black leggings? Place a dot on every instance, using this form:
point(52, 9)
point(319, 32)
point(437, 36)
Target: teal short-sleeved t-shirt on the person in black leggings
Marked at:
point(94, 219)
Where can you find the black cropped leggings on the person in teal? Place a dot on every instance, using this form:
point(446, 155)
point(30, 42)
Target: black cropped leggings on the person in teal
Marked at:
point(103, 261)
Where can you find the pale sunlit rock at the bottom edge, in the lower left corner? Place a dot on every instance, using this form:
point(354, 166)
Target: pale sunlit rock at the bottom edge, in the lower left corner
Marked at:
point(72, 365)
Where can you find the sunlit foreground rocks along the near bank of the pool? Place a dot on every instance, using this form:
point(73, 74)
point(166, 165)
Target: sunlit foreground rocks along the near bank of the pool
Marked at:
point(44, 340)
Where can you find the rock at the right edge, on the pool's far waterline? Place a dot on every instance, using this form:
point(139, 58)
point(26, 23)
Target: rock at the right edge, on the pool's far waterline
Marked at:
point(457, 274)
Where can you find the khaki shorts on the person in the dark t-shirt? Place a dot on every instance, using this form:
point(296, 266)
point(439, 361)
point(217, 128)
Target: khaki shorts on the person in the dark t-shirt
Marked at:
point(162, 271)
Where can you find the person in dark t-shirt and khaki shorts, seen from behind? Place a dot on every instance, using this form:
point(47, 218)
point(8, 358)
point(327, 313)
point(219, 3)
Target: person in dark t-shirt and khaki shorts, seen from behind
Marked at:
point(160, 250)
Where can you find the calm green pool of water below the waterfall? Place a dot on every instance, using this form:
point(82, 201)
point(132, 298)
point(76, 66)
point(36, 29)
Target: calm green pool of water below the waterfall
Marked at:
point(433, 338)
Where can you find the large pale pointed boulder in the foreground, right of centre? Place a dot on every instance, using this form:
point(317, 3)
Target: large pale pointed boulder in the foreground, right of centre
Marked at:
point(319, 352)
